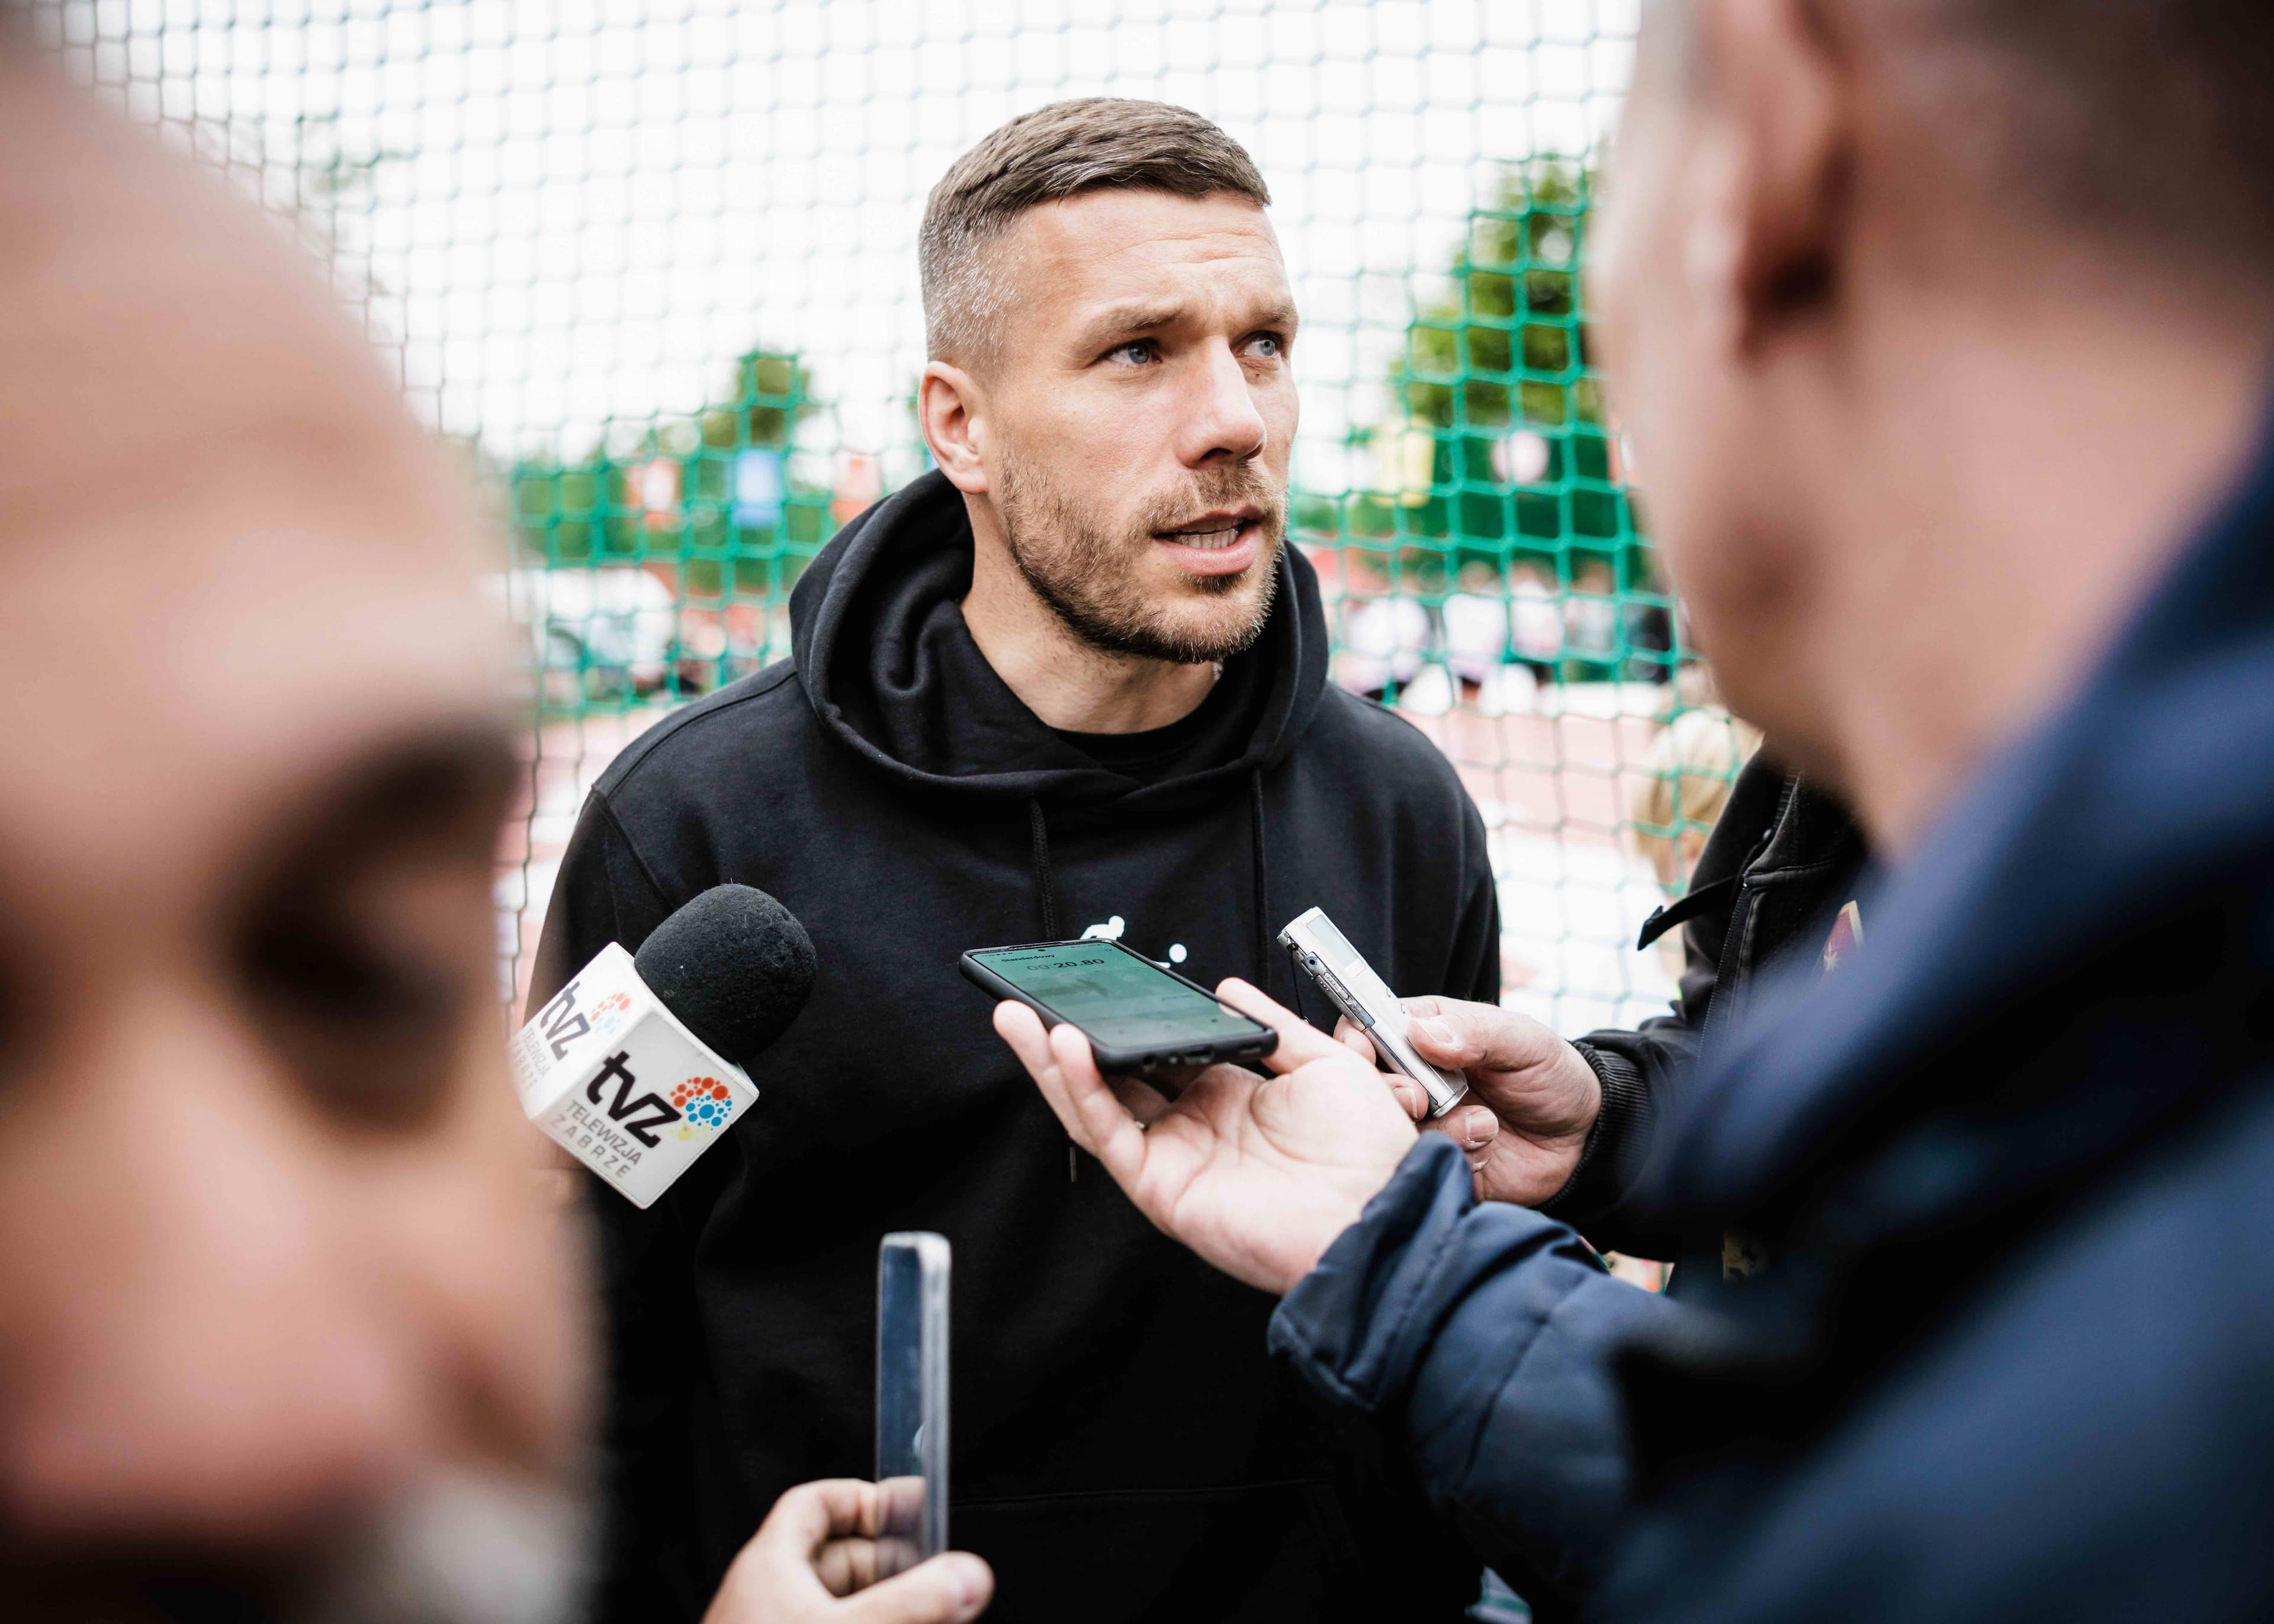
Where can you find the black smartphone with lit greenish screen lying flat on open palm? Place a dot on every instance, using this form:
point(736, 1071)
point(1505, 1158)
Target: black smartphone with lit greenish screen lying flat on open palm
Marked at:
point(1140, 1020)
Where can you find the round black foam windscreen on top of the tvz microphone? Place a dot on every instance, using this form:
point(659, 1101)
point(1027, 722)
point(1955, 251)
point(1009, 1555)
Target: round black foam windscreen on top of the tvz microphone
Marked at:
point(733, 966)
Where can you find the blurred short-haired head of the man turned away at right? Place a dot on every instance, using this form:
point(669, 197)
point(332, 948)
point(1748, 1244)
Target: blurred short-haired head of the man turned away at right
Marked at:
point(1936, 324)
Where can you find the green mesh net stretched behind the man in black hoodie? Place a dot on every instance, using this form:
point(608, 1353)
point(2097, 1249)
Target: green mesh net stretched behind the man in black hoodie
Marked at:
point(654, 270)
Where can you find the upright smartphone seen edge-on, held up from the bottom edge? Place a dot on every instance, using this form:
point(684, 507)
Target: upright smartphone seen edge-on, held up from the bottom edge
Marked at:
point(913, 1398)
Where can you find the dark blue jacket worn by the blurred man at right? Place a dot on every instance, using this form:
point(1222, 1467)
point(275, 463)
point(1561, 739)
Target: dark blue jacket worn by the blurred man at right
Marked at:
point(2014, 1170)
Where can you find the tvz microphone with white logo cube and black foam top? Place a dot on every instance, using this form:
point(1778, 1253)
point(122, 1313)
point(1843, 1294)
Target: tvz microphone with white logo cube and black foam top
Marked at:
point(642, 1059)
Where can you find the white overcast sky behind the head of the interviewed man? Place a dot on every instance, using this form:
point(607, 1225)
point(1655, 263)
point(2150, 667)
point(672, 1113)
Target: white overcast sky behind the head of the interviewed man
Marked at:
point(583, 210)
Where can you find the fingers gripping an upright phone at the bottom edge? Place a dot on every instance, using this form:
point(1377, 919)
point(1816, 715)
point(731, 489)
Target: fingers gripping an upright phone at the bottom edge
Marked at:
point(813, 1561)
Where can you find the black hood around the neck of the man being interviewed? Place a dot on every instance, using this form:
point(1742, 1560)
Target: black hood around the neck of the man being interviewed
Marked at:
point(893, 670)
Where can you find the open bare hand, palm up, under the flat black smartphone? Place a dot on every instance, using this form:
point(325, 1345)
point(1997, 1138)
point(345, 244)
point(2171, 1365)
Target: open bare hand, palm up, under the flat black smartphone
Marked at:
point(1259, 1175)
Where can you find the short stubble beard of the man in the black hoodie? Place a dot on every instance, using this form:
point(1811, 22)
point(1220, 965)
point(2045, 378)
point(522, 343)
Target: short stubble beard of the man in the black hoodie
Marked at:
point(1090, 574)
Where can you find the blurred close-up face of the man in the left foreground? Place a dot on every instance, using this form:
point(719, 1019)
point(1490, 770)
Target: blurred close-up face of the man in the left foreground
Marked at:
point(274, 1291)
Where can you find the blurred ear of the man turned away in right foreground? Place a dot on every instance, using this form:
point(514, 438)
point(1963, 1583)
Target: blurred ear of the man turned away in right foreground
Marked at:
point(1789, 103)
